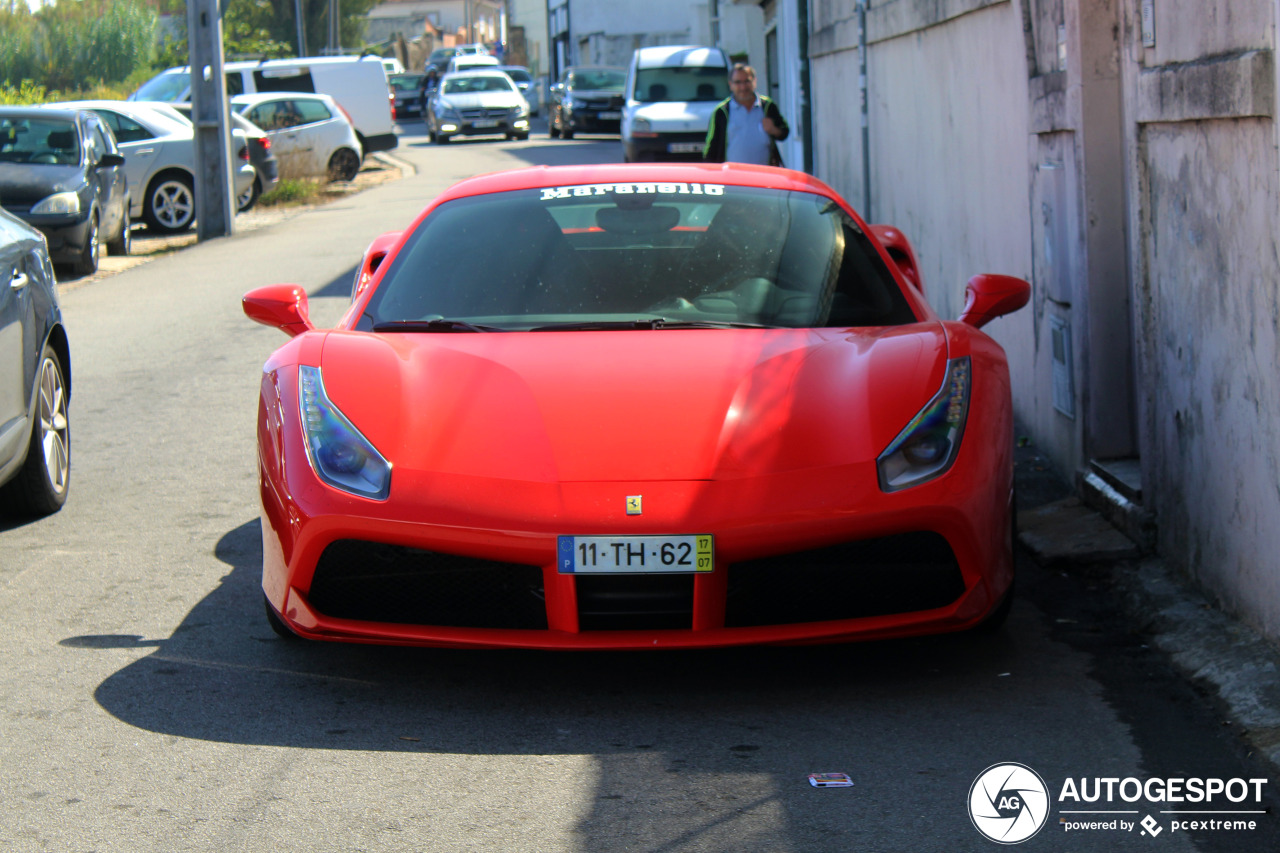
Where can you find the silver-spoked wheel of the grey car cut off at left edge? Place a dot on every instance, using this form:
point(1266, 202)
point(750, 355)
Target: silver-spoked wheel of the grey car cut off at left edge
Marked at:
point(40, 487)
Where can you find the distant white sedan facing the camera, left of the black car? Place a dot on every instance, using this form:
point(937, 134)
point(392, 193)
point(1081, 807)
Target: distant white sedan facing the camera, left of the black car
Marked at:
point(476, 104)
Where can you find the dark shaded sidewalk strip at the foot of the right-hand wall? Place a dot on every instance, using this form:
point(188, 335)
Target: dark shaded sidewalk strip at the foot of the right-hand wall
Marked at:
point(1224, 656)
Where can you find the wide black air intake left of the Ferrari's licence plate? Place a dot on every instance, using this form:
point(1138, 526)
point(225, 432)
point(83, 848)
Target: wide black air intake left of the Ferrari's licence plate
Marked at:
point(383, 583)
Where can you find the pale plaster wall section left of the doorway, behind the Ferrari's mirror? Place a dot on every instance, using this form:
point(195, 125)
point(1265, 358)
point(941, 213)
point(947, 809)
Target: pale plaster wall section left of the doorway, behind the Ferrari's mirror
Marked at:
point(948, 117)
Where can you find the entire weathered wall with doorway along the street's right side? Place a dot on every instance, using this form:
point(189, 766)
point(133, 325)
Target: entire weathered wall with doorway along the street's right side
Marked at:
point(1122, 156)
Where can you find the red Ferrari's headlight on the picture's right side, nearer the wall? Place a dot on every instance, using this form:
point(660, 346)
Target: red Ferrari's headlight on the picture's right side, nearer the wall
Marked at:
point(930, 444)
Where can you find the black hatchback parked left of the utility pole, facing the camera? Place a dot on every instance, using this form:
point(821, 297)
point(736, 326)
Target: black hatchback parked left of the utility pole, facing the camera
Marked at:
point(63, 172)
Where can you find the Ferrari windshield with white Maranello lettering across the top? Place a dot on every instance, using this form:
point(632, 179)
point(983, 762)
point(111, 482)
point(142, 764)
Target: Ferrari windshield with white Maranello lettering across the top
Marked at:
point(637, 256)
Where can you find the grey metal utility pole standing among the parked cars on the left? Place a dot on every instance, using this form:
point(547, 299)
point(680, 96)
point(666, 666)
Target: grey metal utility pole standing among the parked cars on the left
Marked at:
point(216, 215)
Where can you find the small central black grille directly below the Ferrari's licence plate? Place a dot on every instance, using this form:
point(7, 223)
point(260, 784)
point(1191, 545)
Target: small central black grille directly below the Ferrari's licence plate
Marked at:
point(636, 603)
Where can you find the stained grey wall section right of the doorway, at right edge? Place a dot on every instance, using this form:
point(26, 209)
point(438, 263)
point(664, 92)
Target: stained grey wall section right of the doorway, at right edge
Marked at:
point(1205, 273)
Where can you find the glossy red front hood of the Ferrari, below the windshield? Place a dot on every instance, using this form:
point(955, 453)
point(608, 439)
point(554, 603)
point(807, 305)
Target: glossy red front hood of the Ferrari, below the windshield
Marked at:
point(644, 405)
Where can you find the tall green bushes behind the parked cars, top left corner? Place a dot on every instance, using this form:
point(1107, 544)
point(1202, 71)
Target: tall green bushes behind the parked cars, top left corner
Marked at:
point(76, 43)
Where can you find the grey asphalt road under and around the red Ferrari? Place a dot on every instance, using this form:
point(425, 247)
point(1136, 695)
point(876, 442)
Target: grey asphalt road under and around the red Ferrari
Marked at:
point(145, 705)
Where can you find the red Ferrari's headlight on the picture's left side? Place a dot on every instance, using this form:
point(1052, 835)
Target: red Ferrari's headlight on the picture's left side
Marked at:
point(340, 455)
